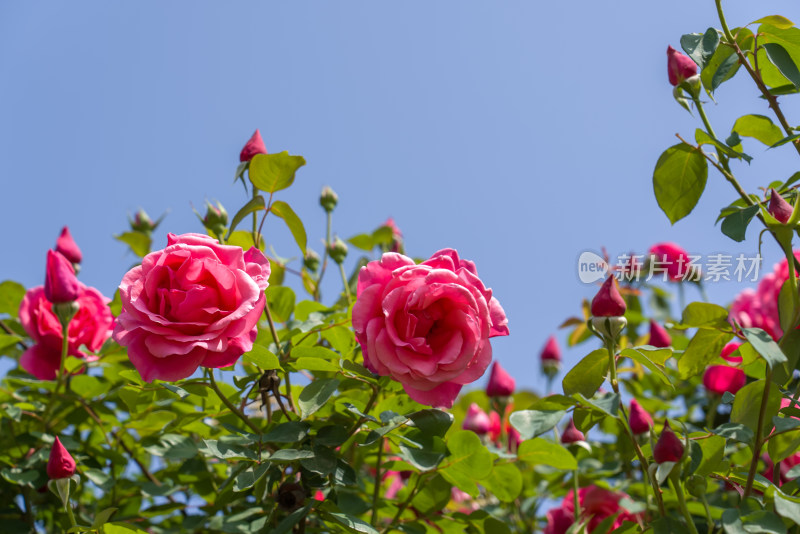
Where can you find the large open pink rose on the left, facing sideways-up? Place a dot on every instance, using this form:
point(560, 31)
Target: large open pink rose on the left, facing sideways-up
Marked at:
point(195, 303)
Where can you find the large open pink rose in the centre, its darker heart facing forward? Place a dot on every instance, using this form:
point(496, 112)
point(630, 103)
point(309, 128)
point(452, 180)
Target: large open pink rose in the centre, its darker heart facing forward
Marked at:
point(428, 325)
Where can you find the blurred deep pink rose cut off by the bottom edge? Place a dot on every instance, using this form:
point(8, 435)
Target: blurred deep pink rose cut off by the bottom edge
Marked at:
point(596, 504)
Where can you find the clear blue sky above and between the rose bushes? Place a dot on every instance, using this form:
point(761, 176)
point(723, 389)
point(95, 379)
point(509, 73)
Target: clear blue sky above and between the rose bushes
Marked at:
point(520, 133)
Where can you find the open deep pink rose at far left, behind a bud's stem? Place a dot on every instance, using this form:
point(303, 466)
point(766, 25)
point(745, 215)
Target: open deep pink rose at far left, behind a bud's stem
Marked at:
point(90, 327)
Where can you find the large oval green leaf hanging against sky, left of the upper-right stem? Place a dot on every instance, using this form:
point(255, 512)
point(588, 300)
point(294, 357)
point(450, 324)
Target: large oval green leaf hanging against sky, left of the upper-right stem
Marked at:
point(679, 180)
